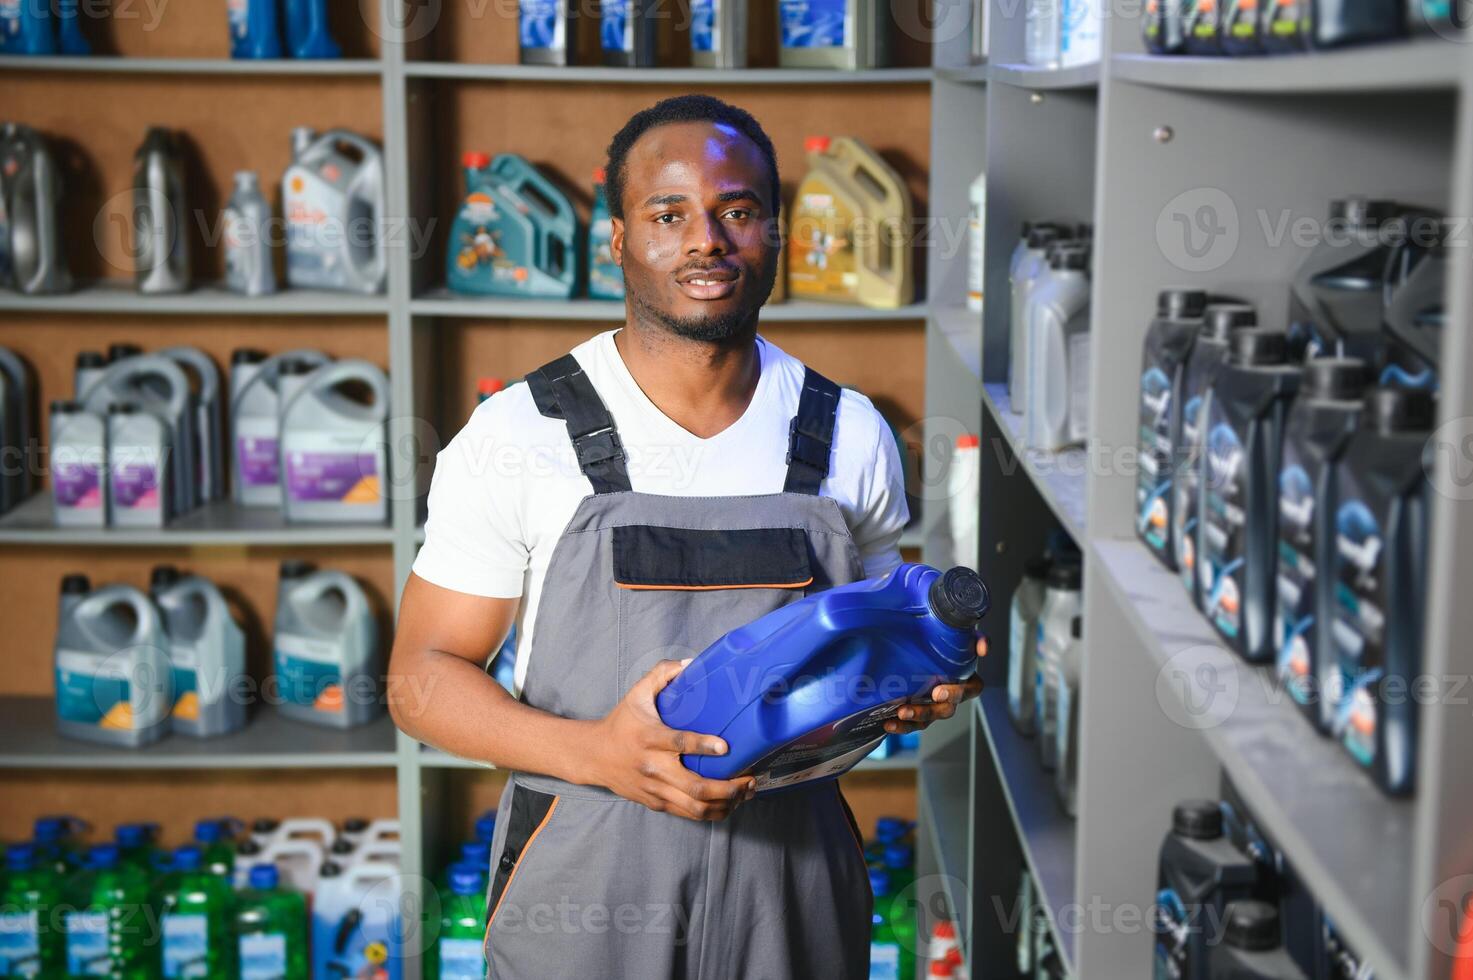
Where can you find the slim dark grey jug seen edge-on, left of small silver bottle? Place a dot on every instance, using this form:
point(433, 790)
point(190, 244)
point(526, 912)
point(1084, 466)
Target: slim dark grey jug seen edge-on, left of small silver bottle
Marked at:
point(160, 216)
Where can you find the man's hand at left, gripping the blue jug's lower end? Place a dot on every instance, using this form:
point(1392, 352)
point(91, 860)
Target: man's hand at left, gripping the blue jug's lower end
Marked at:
point(639, 757)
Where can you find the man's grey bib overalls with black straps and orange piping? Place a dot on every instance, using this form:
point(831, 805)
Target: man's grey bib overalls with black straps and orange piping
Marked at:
point(587, 885)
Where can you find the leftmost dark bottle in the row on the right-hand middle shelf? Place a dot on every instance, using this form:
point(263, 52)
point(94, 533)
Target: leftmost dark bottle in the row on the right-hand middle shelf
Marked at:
point(1169, 343)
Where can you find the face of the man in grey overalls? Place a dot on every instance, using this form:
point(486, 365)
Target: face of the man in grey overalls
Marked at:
point(699, 239)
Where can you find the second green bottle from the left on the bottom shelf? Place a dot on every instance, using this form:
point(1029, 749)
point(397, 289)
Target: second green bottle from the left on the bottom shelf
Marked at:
point(110, 932)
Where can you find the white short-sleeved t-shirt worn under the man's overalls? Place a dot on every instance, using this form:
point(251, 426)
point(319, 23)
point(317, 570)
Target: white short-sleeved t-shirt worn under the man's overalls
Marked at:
point(509, 483)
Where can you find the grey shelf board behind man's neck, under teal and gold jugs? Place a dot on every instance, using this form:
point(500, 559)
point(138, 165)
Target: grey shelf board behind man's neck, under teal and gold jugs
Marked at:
point(443, 303)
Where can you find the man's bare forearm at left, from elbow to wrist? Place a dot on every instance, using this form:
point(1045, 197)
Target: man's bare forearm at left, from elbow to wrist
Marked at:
point(453, 705)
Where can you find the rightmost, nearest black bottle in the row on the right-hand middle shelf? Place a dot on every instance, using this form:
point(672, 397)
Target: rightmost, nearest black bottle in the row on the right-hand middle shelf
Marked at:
point(1381, 578)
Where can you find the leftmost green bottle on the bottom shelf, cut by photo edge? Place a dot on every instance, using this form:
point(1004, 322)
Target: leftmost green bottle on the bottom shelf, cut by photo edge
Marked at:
point(30, 942)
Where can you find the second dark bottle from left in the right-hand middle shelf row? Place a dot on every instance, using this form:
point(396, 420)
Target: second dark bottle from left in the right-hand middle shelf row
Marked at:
point(1209, 356)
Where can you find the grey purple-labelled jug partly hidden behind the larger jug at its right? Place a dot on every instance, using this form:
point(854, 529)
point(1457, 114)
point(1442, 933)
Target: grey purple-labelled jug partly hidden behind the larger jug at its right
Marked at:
point(256, 424)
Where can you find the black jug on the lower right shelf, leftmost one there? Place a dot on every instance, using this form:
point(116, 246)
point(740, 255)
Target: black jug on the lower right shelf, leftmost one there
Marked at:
point(1201, 872)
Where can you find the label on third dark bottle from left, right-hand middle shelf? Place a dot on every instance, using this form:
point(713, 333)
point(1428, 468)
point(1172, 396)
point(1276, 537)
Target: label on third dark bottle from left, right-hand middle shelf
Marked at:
point(1223, 530)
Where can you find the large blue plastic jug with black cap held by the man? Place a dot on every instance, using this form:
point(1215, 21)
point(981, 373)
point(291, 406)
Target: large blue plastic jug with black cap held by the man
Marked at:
point(805, 692)
